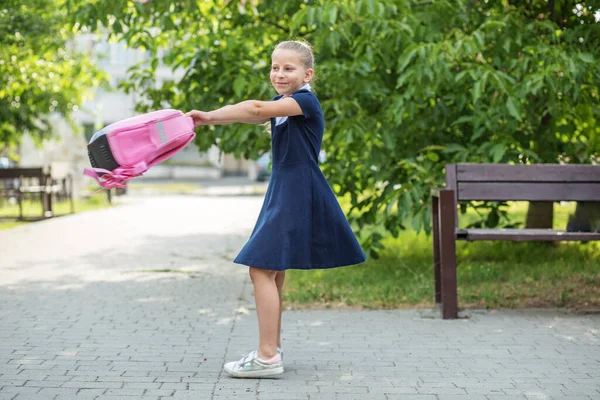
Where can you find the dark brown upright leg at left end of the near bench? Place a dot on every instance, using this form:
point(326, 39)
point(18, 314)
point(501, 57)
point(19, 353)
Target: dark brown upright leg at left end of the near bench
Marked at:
point(446, 214)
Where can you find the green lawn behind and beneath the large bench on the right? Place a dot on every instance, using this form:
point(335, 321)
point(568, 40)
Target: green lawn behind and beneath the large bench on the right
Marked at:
point(490, 274)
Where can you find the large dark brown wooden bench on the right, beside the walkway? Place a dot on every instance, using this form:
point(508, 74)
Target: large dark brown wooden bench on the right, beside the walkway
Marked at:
point(501, 182)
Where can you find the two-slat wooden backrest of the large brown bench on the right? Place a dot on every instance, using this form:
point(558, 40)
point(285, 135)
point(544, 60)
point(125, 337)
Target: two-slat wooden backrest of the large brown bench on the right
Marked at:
point(538, 182)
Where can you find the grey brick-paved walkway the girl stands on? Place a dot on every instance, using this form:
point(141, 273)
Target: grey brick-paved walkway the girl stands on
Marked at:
point(86, 313)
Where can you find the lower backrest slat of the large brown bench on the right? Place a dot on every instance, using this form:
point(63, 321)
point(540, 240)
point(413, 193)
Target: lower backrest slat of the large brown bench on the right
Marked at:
point(502, 191)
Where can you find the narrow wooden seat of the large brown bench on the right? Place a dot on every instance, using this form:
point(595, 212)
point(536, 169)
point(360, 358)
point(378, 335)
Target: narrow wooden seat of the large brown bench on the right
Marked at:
point(524, 235)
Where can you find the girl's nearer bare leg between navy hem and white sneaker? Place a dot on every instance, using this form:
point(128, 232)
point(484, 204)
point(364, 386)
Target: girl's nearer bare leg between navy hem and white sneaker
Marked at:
point(268, 310)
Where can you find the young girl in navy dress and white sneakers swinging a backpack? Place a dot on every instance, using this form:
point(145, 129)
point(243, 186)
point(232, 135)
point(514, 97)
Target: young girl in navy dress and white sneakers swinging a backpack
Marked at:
point(300, 225)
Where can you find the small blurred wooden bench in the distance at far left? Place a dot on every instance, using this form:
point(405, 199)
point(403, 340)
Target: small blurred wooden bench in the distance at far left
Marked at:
point(21, 183)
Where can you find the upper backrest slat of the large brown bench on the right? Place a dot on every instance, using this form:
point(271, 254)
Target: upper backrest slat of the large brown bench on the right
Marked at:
point(527, 173)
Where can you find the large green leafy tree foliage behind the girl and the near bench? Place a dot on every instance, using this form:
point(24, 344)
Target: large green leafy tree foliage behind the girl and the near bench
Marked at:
point(406, 86)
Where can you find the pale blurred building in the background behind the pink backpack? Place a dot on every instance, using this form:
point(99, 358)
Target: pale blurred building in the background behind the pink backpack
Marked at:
point(68, 154)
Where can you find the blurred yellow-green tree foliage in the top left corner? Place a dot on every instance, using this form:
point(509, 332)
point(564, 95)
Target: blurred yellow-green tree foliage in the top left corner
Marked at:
point(38, 74)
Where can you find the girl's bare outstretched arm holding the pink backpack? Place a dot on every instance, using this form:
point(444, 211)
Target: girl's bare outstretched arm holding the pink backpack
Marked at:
point(250, 112)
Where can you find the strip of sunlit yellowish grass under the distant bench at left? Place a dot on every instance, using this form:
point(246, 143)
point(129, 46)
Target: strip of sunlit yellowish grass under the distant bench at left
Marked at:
point(33, 209)
